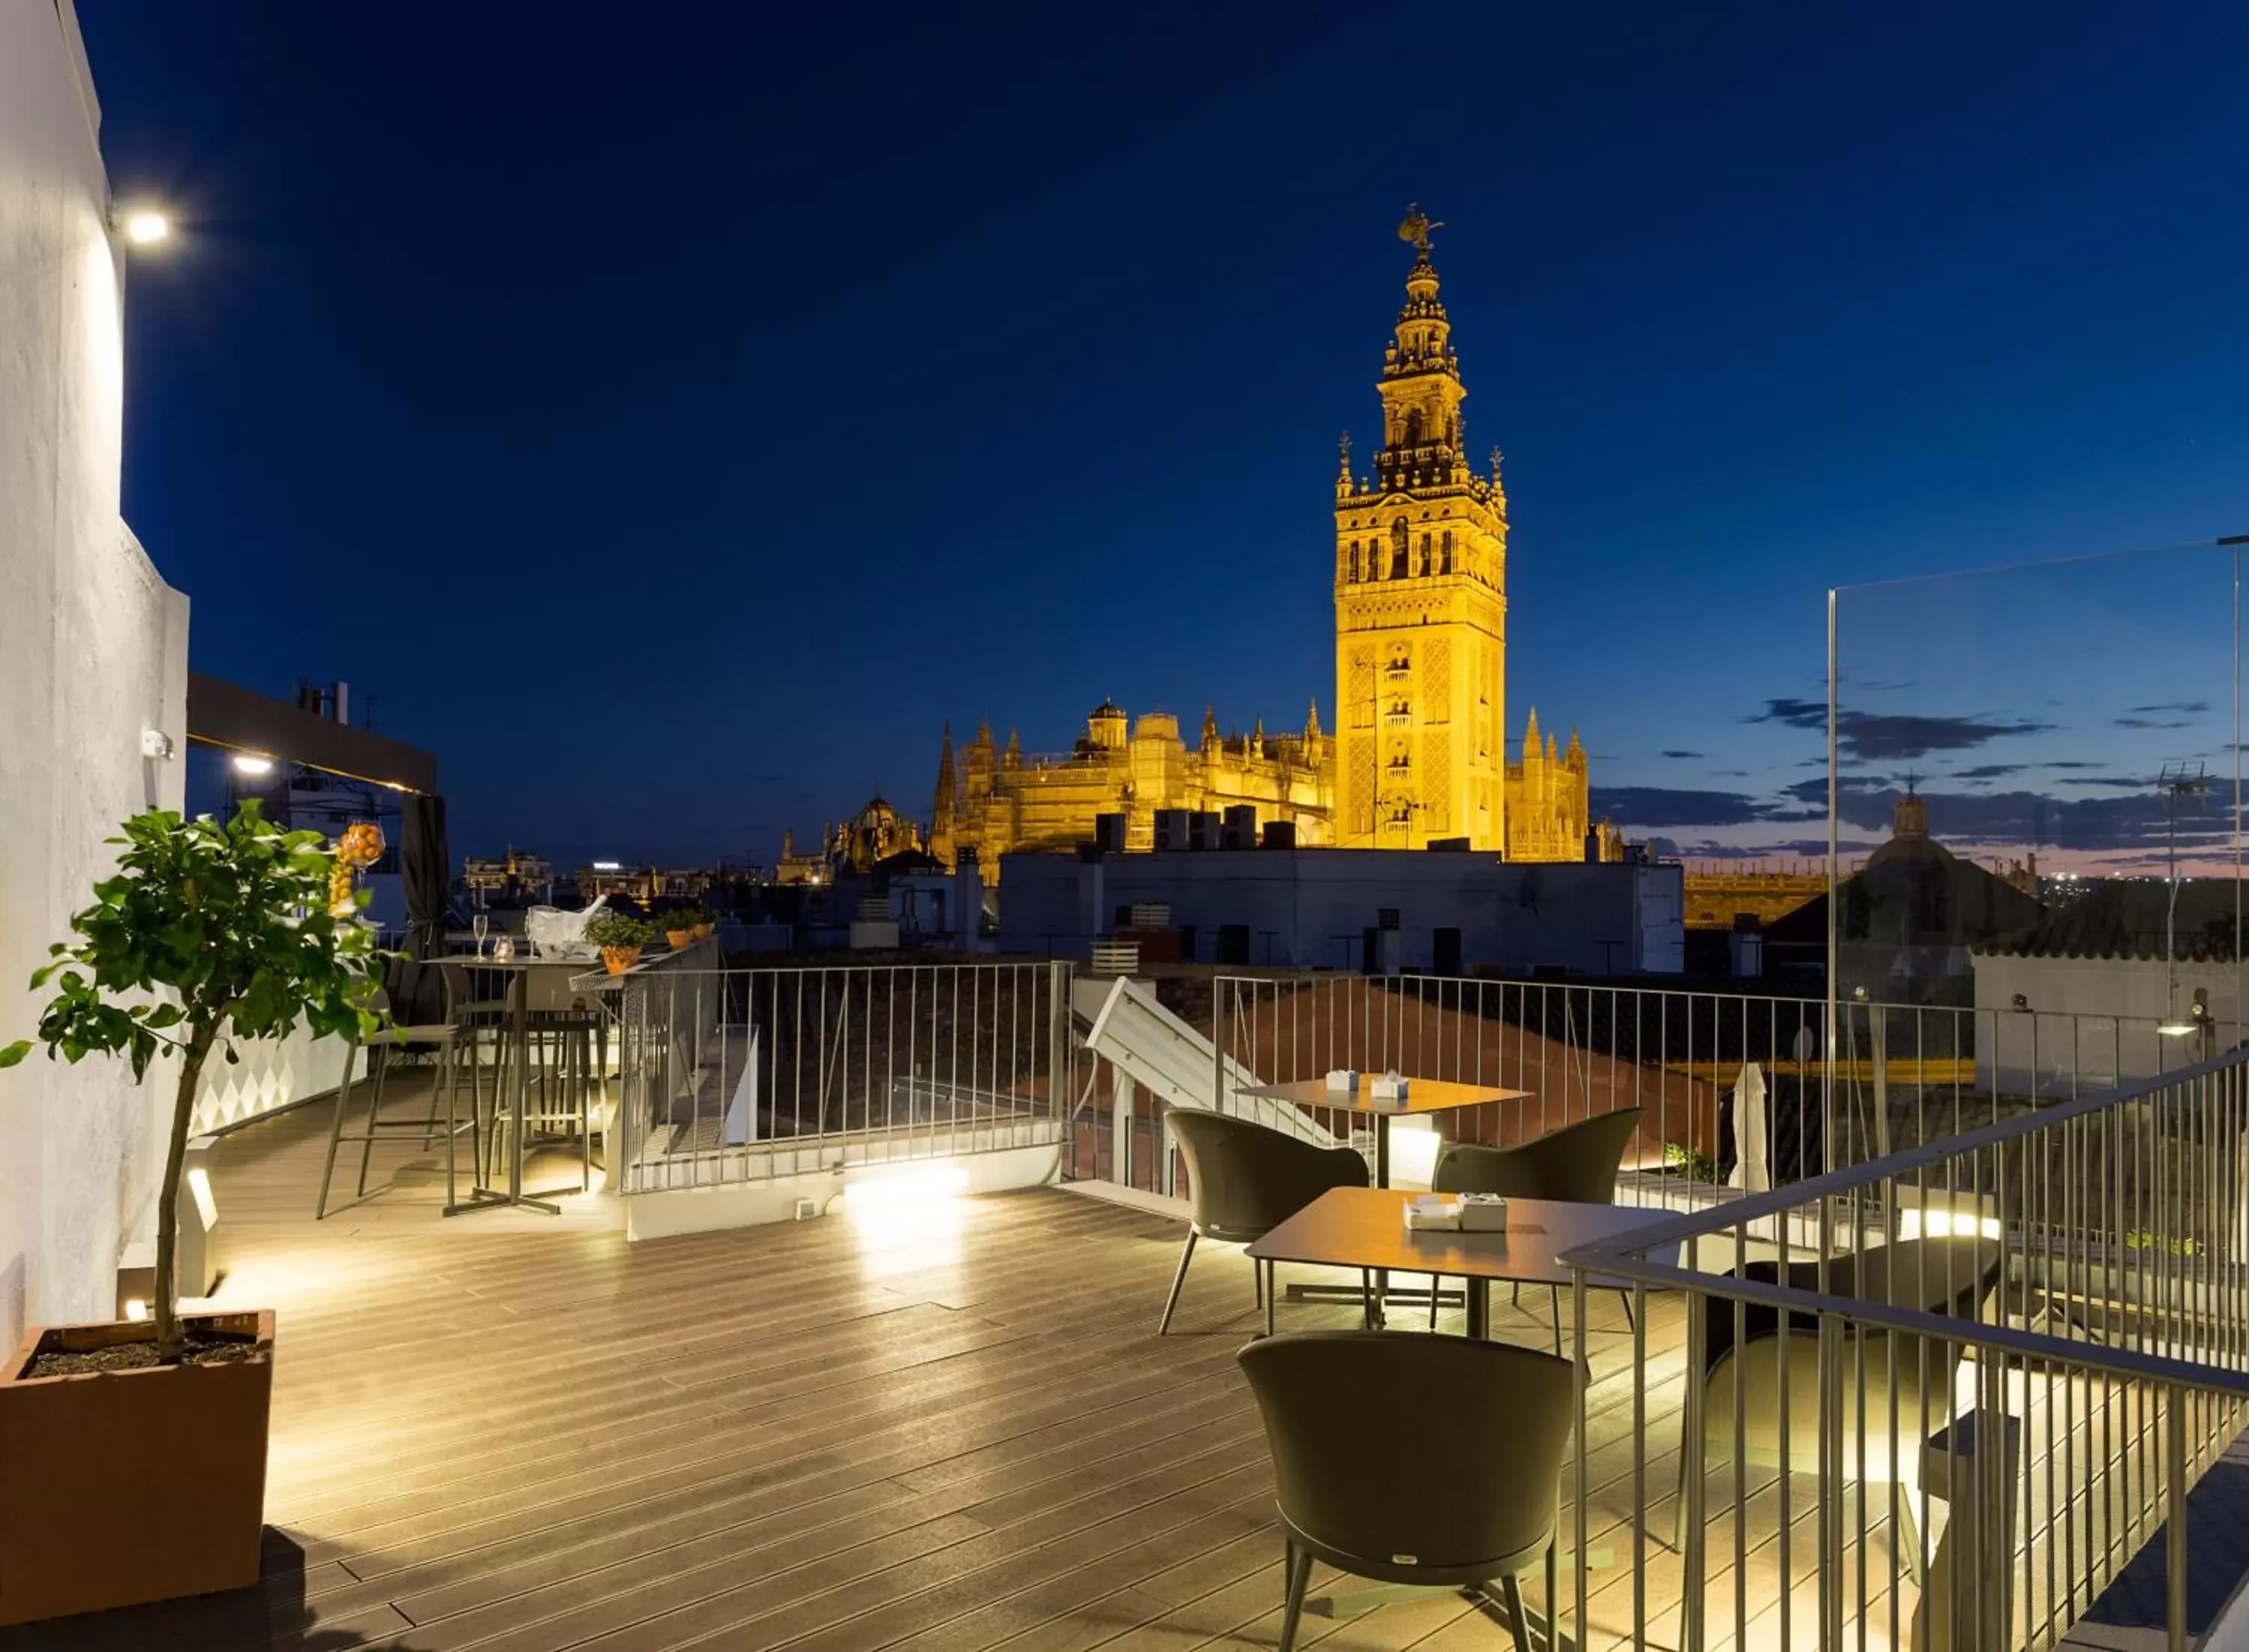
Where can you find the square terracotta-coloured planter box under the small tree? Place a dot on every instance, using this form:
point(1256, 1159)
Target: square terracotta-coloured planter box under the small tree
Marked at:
point(123, 1487)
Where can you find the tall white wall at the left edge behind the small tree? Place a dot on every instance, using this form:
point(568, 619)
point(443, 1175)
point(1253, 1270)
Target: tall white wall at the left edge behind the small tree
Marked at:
point(93, 648)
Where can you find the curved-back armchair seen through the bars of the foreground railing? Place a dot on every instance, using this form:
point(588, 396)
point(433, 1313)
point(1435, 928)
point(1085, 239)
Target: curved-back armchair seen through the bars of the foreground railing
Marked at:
point(1897, 1372)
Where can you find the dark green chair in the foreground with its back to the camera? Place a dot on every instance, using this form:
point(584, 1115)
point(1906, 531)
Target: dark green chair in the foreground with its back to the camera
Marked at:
point(1474, 1505)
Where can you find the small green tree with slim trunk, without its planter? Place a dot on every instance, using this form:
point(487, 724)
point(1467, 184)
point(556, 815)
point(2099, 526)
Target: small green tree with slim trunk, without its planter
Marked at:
point(208, 934)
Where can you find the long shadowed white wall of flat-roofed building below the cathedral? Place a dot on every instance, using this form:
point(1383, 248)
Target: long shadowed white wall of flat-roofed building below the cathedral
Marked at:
point(1310, 907)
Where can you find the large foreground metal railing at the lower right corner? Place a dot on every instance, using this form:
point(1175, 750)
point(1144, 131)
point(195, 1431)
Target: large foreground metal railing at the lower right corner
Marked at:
point(1938, 1399)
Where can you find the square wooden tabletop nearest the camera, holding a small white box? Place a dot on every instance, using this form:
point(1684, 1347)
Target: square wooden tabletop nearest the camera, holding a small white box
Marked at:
point(1366, 1228)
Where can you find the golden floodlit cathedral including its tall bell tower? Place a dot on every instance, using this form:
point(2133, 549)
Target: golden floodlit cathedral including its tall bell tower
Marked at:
point(1420, 750)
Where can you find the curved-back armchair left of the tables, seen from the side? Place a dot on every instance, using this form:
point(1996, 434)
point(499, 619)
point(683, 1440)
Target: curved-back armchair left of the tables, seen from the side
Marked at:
point(1245, 1181)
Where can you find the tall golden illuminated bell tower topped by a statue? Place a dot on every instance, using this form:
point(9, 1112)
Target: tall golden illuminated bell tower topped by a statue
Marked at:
point(1420, 606)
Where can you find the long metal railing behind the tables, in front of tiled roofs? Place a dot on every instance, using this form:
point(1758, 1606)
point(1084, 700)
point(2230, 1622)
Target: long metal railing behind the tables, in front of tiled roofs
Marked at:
point(1830, 1087)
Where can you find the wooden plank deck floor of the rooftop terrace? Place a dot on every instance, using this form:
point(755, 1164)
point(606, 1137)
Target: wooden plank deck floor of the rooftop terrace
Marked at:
point(952, 1433)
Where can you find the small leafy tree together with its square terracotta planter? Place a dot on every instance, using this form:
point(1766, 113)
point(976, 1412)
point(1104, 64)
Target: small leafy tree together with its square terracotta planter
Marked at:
point(134, 1453)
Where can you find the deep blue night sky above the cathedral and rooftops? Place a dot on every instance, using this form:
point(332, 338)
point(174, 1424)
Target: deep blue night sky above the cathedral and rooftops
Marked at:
point(676, 415)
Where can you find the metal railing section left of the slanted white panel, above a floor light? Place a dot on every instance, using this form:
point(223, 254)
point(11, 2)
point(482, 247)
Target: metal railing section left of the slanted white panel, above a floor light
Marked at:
point(750, 1075)
